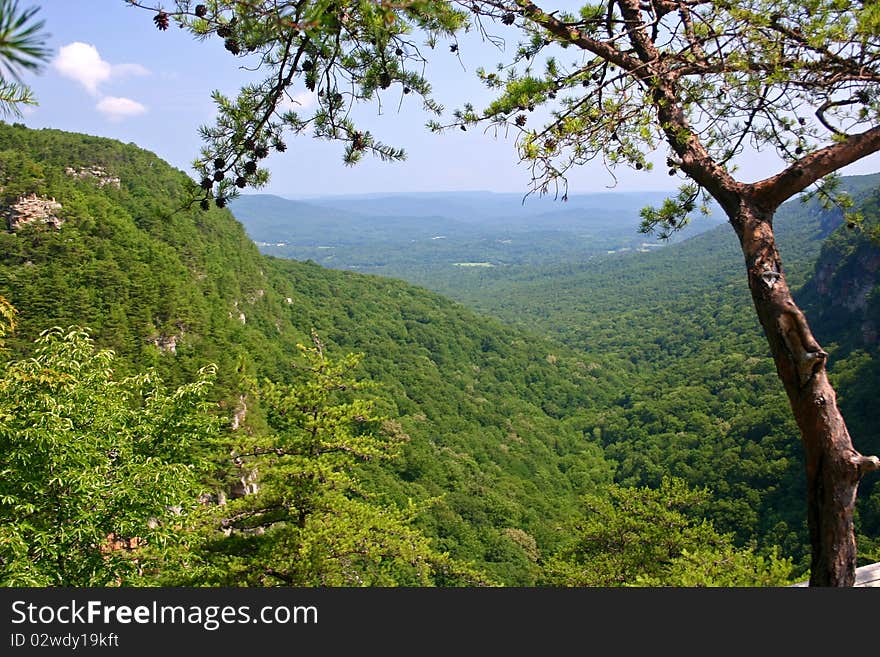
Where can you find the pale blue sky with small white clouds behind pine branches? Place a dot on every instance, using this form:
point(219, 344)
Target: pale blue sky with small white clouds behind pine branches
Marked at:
point(113, 74)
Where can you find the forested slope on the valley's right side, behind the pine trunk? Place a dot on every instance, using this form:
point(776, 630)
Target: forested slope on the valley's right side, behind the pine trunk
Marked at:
point(703, 401)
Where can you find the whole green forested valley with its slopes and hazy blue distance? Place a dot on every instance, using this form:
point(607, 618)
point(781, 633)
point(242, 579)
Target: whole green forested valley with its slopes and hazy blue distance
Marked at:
point(538, 383)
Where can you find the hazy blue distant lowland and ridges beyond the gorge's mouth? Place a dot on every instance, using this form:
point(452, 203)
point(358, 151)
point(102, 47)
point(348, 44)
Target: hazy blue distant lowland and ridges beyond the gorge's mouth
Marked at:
point(434, 239)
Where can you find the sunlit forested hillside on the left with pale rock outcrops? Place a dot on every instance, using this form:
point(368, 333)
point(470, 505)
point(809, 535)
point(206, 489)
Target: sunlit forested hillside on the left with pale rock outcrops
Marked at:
point(488, 409)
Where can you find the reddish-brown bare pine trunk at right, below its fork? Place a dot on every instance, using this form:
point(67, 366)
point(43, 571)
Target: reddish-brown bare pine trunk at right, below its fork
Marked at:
point(833, 467)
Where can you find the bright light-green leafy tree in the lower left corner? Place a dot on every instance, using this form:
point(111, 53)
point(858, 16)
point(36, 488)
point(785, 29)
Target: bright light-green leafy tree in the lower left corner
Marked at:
point(95, 470)
